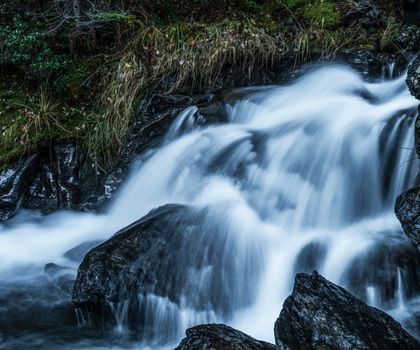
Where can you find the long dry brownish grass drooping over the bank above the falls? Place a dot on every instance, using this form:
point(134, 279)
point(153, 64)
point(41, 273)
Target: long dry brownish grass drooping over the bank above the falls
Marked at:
point(193, 54)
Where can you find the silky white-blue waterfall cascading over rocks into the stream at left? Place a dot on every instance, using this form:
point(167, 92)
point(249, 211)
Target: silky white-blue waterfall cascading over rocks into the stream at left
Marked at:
point(302, 177)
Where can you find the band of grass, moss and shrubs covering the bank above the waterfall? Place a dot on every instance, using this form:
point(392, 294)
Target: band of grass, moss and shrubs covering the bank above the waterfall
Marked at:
point(75, 70)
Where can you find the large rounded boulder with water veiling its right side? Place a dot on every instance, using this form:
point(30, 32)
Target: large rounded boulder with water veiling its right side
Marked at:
point(176, 253)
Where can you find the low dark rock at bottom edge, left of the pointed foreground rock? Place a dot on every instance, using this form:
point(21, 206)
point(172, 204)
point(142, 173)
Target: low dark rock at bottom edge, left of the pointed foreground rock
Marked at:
point(218, 337)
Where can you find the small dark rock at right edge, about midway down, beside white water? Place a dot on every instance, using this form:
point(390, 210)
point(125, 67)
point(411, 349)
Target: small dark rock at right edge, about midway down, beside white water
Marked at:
point(407, 209)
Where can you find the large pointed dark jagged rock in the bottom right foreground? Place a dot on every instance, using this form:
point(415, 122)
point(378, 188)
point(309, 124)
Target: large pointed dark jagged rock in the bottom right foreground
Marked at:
point(321, 315)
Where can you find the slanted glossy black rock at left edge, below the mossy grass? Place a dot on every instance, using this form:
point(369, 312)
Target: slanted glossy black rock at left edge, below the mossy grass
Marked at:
point(13, 181)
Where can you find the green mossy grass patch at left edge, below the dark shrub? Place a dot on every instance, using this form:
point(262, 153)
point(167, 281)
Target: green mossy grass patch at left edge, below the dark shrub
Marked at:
point(30, 120)
